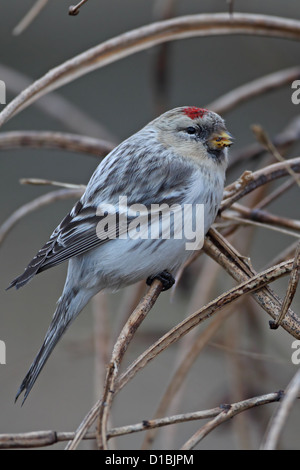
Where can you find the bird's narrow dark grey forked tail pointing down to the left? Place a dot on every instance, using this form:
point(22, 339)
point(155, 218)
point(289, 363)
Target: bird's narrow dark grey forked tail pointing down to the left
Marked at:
point(69, 306)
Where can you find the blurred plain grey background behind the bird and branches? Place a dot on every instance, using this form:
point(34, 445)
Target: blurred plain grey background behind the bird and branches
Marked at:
point(121, 98)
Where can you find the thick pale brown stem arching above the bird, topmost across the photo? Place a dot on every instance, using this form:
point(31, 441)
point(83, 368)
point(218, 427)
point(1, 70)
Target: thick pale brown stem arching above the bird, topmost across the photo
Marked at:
point(149, 36)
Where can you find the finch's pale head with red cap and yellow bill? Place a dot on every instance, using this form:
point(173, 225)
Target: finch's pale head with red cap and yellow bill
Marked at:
point(195, 133)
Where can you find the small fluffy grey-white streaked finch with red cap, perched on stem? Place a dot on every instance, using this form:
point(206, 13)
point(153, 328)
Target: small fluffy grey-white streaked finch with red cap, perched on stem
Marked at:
point(179, 158)
